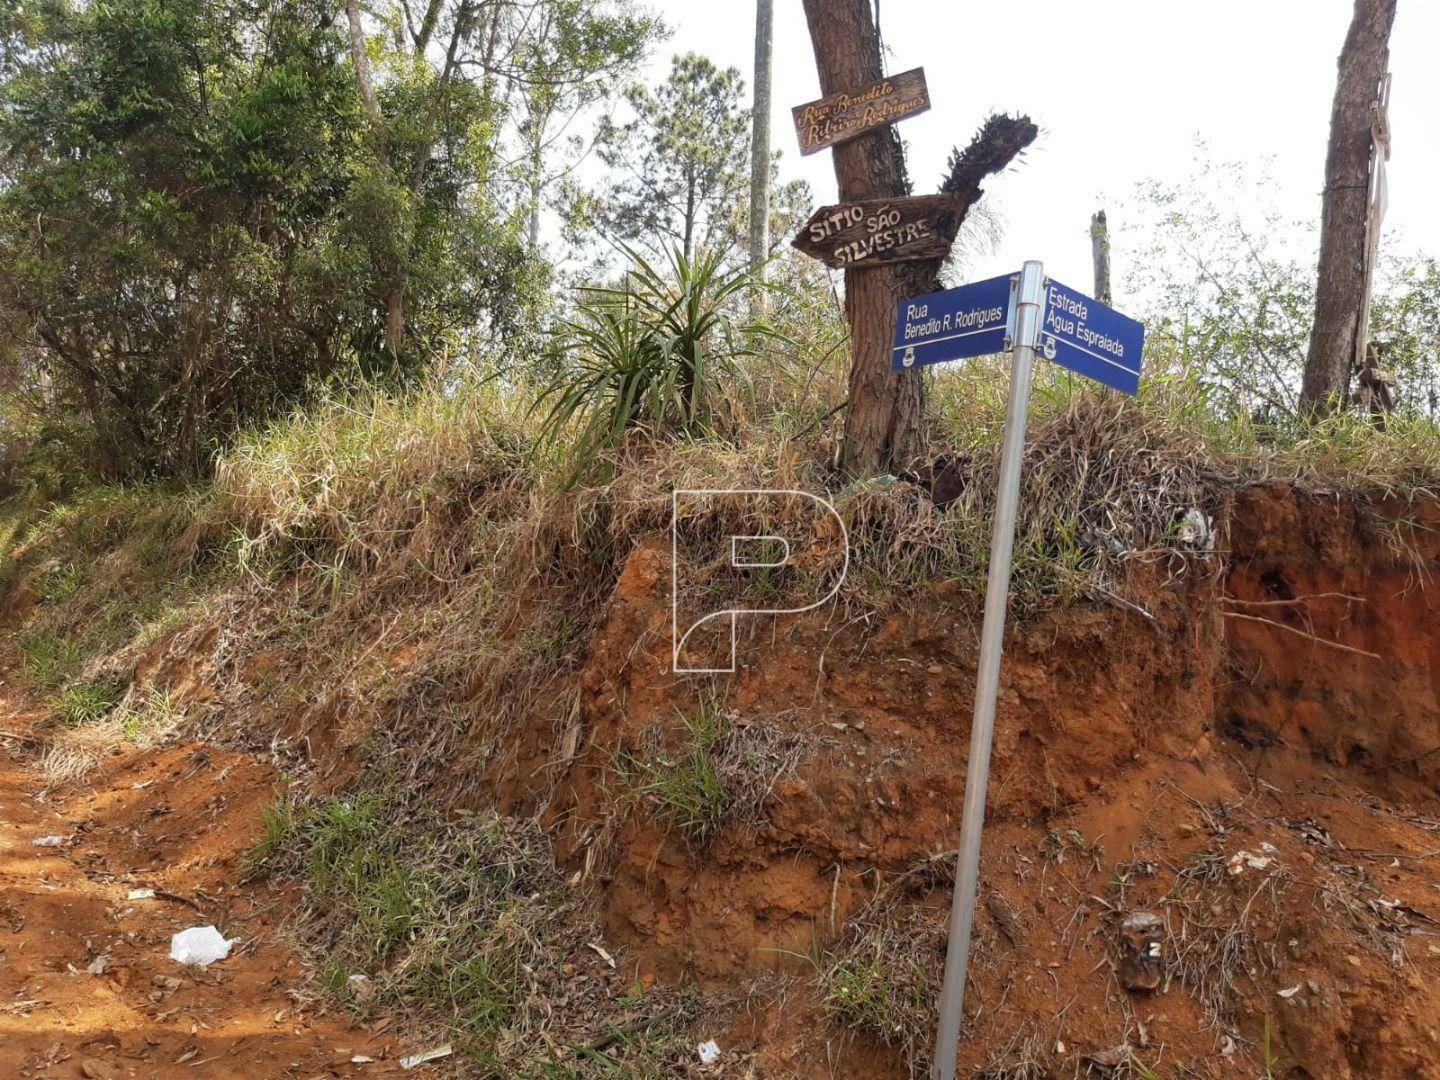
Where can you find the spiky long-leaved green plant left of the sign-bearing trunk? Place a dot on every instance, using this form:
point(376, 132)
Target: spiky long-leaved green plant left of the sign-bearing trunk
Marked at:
point(662, 352)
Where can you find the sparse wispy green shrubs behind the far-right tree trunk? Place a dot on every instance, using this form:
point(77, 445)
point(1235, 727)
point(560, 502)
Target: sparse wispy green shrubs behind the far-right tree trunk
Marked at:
point(1229, 287)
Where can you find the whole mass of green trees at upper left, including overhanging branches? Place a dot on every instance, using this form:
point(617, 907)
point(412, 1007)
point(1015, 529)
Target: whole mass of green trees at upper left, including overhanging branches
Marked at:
point(197, 228)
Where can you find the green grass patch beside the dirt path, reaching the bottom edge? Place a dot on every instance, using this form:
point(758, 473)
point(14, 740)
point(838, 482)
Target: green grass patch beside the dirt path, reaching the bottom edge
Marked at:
point(470, 919)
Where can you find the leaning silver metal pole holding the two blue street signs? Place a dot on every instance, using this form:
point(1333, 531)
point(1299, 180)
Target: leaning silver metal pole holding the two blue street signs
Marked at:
point(987, 679)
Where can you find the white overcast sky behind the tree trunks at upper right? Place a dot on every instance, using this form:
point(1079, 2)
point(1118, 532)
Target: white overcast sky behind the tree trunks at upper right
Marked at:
point(1121, 90)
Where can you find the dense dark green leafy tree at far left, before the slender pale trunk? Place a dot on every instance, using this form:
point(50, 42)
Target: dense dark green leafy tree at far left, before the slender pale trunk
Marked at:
point(169, 163)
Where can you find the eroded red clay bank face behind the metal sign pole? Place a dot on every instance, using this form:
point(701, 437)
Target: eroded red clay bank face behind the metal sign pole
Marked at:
point(1174, 739)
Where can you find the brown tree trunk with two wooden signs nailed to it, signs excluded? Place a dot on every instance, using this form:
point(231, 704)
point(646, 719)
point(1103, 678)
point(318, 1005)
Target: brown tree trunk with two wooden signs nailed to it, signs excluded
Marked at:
point(885, 424)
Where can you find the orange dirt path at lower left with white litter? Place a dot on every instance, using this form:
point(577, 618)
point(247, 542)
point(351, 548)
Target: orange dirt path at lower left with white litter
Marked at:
point(175, 822)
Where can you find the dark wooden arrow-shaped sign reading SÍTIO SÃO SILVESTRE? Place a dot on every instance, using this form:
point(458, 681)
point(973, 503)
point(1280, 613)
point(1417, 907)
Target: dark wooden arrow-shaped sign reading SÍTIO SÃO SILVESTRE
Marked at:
point(879, 231)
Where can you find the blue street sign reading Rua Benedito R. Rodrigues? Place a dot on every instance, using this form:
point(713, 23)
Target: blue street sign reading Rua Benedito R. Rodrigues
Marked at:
point(973, 320)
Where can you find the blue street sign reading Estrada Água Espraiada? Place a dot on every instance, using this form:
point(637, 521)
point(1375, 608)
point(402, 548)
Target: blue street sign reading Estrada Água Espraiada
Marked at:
point(1084, 335)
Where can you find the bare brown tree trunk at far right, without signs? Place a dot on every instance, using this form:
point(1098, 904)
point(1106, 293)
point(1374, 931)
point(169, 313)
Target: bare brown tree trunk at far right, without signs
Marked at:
point(1341, 280)
